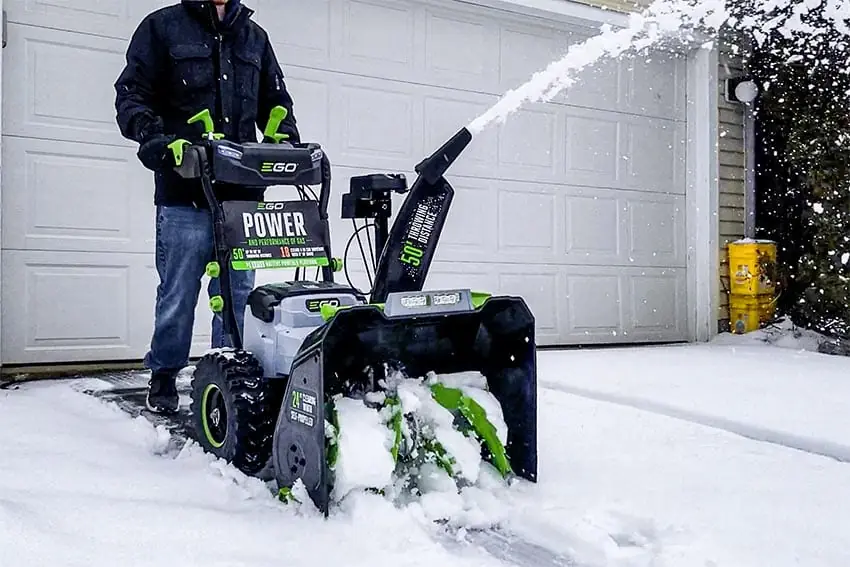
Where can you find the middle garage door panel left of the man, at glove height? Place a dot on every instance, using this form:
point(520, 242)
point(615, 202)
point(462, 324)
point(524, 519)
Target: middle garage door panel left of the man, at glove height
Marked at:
point(75, 197)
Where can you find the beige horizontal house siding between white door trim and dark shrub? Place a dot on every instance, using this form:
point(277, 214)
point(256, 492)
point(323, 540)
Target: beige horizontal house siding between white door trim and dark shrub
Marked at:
point(732, 158)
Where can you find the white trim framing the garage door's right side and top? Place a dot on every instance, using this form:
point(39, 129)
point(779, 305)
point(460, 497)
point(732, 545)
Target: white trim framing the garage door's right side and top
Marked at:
point(702, 192)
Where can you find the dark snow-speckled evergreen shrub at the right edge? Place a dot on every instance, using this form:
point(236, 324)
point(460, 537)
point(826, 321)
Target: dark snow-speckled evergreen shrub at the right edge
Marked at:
point(804, 177)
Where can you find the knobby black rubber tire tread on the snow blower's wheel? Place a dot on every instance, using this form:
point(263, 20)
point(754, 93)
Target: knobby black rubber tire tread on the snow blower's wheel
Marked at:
point(255, 417)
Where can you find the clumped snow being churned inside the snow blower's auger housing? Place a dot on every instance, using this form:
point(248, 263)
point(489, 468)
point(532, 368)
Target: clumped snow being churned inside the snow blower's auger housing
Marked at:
point(365, 439)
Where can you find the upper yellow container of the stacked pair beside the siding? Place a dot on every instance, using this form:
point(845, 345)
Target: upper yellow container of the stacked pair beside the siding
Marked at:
point(752, 267)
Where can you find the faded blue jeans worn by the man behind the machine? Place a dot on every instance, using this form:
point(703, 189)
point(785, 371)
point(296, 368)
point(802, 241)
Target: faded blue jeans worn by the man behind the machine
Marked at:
point(184, 246)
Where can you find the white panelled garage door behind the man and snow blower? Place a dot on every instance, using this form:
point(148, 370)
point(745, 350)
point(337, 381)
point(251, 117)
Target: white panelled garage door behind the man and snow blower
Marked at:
point(577, 205)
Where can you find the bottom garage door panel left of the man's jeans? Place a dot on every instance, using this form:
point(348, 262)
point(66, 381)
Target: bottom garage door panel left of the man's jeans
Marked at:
point(71, 306)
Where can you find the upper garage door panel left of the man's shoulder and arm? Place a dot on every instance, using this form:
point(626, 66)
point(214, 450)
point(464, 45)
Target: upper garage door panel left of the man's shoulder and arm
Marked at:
point(53, 102)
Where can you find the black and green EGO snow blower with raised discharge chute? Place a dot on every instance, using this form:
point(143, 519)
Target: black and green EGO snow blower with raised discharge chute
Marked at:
point(307, 344)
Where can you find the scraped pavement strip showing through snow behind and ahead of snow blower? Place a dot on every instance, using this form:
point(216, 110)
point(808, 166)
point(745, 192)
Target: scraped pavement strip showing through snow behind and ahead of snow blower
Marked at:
point(127, 391)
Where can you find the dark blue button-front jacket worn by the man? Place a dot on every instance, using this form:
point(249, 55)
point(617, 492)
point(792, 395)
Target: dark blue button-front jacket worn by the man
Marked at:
point(181, 60)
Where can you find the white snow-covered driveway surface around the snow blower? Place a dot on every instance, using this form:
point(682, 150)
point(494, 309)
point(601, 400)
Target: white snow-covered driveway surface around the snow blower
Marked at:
point(727, 454)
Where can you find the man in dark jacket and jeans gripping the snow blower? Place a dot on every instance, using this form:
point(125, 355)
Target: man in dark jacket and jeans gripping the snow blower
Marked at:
point(183, 59)
